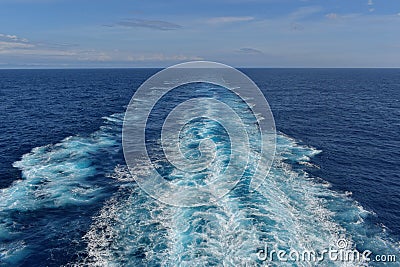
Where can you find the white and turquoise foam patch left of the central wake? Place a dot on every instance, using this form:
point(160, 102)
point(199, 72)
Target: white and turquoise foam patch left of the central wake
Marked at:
point(54, 176)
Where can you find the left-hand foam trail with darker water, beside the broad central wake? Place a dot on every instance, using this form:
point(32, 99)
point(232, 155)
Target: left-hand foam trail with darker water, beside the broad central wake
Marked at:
point(56, 178)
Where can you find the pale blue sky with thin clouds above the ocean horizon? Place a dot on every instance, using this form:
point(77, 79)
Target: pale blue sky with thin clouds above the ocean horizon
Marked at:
point(160, 33)
